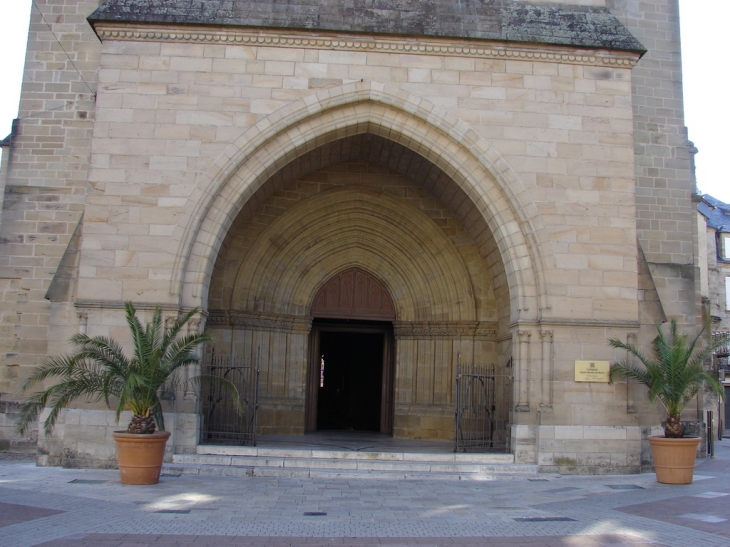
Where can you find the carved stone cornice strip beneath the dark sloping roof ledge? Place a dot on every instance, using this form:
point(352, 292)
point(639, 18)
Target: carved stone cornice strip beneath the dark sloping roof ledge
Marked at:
point(448, 47)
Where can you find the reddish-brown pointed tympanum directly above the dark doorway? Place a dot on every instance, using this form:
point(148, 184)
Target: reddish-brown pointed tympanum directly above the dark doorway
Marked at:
point(354, 294)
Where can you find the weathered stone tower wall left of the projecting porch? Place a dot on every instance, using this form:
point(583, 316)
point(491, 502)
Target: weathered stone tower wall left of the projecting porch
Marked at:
point(46, 178)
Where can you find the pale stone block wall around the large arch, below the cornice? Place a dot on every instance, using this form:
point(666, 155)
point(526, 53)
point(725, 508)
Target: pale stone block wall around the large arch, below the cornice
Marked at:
point(495, 97)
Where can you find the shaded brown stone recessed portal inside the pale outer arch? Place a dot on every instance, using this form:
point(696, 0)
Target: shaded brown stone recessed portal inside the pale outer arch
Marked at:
point(361, 204)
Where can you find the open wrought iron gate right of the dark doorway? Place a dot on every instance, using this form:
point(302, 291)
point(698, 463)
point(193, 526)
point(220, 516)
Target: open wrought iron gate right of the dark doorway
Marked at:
point(483, 406)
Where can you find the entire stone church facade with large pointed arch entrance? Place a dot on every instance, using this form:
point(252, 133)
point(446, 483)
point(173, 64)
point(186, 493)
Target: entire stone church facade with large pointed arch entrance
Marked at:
point(495, 182)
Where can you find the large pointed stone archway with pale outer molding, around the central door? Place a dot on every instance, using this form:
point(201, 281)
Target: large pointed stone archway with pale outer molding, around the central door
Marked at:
point(260, 236)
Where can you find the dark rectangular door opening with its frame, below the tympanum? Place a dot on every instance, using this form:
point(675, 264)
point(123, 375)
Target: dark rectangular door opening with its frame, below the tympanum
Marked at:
point(354, 392)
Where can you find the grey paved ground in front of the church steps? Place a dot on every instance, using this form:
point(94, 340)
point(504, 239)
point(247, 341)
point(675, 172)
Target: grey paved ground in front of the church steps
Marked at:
point(83, 507)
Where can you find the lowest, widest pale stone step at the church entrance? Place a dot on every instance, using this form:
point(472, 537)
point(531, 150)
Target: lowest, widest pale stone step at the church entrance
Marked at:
point(312, 473)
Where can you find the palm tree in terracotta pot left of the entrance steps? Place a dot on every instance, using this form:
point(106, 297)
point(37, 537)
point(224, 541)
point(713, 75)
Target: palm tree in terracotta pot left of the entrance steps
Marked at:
point(99, 370)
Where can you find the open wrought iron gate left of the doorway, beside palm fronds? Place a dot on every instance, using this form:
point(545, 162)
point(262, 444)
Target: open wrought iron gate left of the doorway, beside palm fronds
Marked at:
point(223, 422)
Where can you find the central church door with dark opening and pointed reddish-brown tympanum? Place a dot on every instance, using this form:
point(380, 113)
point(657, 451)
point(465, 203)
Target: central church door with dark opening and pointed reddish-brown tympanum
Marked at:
point(350, 375)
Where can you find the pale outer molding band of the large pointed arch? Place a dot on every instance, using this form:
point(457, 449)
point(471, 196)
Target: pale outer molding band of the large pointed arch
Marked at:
point(363, 107)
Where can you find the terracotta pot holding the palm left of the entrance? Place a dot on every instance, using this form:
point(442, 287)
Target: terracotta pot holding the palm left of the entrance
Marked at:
point(140, 456)
